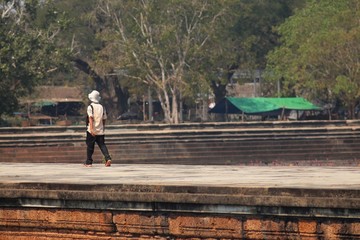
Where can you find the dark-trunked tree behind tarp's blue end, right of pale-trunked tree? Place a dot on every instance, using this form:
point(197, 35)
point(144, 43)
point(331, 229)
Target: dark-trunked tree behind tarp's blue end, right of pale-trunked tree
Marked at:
point(247, 36)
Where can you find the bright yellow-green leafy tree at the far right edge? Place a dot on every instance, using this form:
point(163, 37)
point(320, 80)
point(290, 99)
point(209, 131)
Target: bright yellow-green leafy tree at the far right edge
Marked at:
point(319, 56)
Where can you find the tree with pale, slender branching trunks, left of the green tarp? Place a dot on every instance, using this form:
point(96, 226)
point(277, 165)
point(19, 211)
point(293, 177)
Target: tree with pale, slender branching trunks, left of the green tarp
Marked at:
point(159, 44)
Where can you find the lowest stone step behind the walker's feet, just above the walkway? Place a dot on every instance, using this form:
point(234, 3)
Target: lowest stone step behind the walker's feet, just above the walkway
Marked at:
point(258, 159)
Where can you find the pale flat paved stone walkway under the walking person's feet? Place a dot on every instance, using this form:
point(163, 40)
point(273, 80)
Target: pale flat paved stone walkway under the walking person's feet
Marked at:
point(182, 175)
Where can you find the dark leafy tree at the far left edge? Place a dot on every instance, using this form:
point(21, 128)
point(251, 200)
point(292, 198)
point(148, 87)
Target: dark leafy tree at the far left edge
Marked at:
point(27, 52)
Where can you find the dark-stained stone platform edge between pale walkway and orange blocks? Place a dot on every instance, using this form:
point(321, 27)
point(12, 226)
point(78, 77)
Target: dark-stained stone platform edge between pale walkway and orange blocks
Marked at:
point(282, 202)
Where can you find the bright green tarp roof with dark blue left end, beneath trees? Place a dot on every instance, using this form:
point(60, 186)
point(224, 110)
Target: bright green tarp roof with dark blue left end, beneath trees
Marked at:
point(260, 106)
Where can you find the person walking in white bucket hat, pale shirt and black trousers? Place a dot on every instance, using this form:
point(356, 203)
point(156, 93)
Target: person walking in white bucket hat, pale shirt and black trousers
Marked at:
point(95, 129)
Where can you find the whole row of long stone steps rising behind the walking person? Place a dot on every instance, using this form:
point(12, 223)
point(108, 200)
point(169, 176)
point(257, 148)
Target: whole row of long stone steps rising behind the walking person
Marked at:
point(249, 144)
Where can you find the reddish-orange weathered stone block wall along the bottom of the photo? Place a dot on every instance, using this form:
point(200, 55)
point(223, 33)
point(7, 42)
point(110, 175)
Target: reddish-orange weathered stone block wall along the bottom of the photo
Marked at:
point(27, 223)
